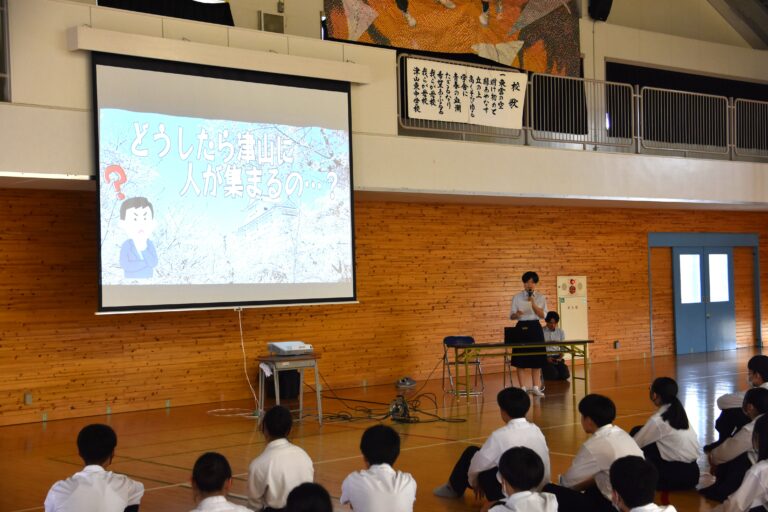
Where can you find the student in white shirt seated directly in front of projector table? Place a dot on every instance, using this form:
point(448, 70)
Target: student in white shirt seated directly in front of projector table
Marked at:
point(281, 466)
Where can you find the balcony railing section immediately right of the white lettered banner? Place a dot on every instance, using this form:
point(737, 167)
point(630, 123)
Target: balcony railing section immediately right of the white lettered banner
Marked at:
point(575, 110)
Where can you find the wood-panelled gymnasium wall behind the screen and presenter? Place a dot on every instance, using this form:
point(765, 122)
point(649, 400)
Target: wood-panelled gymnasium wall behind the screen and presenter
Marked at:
point(424, 271)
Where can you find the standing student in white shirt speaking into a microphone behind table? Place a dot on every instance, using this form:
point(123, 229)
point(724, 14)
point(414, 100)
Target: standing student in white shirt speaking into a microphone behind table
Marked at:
point(528, 308)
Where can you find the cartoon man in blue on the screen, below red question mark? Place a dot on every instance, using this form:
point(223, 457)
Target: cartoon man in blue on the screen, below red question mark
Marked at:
point(138, 256)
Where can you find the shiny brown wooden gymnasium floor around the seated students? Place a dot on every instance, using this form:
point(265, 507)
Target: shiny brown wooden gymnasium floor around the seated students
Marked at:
point(159, 447)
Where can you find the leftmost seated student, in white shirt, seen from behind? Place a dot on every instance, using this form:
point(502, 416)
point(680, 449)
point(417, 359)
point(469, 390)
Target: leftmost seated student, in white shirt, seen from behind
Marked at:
point(94, 489)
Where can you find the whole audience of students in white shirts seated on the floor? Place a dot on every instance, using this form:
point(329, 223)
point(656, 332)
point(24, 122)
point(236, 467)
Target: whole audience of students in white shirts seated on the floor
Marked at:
point(612, 470)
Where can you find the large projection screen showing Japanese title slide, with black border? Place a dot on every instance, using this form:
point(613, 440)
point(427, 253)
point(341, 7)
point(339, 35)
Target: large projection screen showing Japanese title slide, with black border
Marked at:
point(221, 188)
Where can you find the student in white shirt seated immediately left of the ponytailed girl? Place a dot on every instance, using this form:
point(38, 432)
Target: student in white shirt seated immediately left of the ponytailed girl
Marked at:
point(586, 486)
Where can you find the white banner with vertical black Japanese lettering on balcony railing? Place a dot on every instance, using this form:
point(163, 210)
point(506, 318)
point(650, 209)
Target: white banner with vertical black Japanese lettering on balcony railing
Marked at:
point(439, 91)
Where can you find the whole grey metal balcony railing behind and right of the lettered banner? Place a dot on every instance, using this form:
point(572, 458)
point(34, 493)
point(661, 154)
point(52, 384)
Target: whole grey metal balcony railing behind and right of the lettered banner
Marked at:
point(594, 113)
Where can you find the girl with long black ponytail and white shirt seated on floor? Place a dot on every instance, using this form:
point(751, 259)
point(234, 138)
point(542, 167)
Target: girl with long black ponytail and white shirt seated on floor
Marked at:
point(668, 440)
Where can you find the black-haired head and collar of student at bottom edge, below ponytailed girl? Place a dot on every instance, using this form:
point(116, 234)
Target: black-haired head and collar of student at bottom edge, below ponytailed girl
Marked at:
point(634, 483)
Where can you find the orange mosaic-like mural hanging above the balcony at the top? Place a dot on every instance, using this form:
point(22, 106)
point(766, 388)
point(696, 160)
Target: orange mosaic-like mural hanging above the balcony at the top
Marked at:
point(536, 35)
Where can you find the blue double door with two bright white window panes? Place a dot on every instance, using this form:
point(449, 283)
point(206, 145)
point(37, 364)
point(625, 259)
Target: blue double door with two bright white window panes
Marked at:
point(705, 318)
